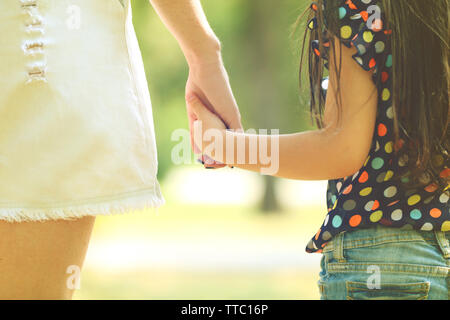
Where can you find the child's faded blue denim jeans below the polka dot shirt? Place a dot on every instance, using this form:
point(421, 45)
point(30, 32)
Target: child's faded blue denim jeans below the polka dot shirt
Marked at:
point(386, 263)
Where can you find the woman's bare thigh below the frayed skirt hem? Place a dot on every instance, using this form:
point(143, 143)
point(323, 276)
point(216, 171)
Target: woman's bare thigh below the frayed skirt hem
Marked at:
point(41, 260)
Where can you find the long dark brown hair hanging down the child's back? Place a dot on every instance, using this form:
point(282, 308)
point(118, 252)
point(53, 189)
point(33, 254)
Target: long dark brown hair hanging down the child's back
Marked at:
point(420, 97)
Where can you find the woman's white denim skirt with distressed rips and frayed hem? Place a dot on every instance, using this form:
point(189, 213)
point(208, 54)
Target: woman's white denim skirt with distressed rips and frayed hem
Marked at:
point(76, 125)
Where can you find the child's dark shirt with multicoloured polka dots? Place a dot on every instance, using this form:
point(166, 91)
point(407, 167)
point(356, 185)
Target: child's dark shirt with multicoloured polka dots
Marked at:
point(370, 197)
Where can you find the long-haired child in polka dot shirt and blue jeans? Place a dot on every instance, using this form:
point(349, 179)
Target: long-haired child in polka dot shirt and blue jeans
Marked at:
point(382, 144)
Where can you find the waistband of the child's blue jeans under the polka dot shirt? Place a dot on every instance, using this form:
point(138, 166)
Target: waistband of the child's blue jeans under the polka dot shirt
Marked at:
point(383, 235)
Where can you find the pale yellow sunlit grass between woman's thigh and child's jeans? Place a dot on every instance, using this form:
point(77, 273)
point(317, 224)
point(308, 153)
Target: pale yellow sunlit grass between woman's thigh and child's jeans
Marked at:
point(231, 228)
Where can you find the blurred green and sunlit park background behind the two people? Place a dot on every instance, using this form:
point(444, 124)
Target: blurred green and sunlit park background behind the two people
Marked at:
point(223, 234)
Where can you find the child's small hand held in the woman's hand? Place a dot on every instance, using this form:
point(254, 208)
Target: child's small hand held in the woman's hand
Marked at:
point(206, 121)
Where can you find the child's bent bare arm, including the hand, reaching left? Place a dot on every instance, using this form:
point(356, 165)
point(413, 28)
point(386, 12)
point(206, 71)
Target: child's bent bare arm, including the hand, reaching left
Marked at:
point(332, 152)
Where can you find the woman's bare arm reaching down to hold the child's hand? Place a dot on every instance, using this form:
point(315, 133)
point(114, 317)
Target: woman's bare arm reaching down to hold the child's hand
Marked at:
point(208, 78)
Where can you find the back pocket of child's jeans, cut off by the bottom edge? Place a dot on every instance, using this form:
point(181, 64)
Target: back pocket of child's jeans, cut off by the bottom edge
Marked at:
point(388, 291)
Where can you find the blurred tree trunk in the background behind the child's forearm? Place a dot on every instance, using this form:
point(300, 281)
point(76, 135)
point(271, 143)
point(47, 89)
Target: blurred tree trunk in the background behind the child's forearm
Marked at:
point(270, 75)
